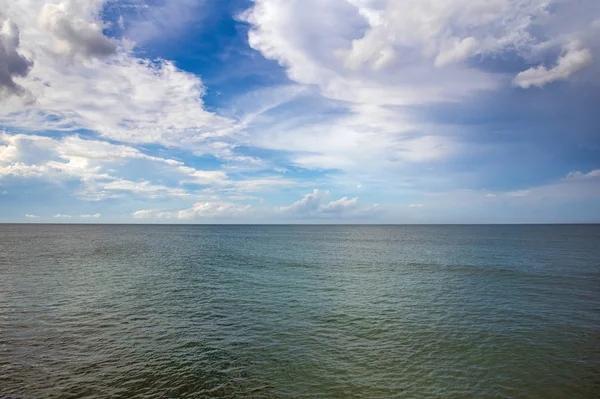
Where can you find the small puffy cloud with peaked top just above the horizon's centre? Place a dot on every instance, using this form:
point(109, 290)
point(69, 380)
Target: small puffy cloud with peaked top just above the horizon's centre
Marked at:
point(313, 204)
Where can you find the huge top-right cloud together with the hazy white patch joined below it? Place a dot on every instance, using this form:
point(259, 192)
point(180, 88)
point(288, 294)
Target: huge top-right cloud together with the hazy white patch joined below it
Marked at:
point(373, 57)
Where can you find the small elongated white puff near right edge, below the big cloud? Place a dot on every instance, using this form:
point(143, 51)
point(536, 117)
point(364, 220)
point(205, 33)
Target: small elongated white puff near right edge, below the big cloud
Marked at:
point(574, 58)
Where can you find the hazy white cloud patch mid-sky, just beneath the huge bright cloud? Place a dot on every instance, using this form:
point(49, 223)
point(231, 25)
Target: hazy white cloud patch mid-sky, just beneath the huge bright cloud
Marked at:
point(370, 139)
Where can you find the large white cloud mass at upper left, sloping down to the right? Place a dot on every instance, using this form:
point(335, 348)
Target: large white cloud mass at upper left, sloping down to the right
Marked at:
point(122, 97)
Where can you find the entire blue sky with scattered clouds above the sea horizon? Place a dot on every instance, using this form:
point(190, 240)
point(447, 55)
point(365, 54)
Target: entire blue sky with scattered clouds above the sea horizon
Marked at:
point(300, 111)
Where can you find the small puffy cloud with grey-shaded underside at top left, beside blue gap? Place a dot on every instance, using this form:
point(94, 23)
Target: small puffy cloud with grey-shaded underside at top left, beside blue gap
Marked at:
point(75, 30)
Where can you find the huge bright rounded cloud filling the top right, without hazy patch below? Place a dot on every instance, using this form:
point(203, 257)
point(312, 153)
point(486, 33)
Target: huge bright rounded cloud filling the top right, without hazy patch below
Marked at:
point(352, 60)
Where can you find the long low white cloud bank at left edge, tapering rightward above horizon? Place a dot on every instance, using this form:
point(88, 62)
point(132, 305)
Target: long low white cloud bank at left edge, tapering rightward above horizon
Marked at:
point(100, 167)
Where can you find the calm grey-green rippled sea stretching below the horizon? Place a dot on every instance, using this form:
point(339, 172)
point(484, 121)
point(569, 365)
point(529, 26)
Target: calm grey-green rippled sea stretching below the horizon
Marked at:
point(299, 311)
